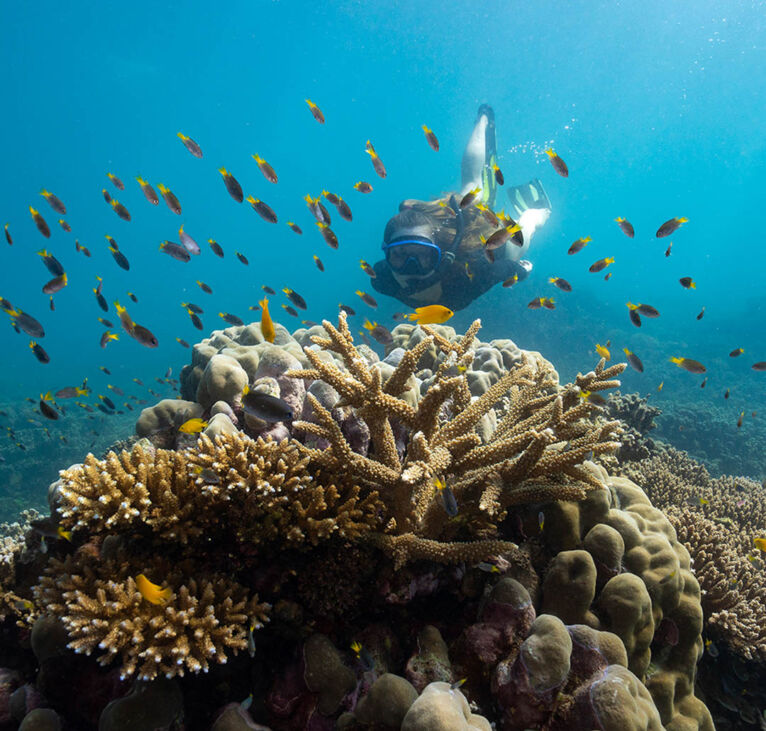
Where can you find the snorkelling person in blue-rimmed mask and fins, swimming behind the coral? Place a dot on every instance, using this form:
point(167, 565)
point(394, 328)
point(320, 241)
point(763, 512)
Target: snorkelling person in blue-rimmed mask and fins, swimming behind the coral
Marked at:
point(434, 250)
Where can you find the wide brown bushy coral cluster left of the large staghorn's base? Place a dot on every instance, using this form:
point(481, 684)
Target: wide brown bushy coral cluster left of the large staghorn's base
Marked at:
point(255, 490)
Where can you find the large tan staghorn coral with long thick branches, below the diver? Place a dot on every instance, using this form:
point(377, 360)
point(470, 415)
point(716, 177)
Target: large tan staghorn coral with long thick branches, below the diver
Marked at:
point(533, 455)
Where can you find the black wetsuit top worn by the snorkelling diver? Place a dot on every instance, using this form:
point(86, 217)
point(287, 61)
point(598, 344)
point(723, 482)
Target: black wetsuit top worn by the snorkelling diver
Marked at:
point(451, 286)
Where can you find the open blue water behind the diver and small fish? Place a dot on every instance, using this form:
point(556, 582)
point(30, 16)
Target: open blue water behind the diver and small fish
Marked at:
point(657, 109)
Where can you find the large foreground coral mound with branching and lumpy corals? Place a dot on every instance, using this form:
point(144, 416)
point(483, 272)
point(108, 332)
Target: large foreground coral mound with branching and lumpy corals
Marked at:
point(434, 541)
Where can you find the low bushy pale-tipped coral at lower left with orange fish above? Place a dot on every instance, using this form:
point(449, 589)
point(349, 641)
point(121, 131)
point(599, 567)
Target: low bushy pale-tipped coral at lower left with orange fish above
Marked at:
point(102, 609)
